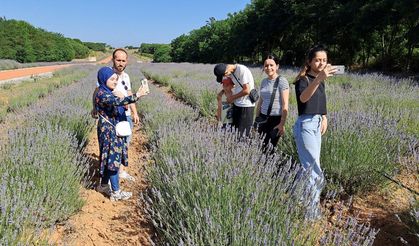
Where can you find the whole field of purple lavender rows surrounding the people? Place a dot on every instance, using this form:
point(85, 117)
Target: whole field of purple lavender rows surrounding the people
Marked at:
point(205, 186)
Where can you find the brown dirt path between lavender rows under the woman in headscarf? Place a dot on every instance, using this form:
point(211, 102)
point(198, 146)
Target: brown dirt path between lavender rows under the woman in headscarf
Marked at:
point(102, 222)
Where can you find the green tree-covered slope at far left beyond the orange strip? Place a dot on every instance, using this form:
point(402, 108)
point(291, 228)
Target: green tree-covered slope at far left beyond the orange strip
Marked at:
point(22, 42)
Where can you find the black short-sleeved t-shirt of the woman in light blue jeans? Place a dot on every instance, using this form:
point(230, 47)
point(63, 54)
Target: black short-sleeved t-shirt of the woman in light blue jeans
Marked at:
point(317, 103)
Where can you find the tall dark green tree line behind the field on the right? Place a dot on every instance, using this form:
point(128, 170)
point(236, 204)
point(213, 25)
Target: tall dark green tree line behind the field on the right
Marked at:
point(382, 35)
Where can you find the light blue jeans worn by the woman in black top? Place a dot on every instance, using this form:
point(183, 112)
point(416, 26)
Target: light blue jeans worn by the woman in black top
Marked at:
point(308, 139)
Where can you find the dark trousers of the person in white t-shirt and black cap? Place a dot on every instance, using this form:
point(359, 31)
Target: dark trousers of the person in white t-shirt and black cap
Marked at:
point(243, 119)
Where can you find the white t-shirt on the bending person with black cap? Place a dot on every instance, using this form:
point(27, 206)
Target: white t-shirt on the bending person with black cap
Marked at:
point(245, 76)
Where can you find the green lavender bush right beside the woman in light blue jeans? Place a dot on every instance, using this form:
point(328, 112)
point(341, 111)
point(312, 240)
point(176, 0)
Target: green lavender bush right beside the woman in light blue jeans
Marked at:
point(360, 148)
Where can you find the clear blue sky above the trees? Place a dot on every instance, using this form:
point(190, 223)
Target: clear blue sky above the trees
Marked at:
point(120, 23)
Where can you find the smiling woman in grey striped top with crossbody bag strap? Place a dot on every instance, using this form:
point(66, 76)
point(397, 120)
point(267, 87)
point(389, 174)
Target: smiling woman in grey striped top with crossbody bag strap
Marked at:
point(275, 125)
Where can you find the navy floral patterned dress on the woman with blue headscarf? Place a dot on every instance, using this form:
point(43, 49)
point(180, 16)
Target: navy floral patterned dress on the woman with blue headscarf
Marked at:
point(113, 149)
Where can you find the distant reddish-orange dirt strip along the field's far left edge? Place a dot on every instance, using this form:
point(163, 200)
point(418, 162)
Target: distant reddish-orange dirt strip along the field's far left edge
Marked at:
point(32, 71)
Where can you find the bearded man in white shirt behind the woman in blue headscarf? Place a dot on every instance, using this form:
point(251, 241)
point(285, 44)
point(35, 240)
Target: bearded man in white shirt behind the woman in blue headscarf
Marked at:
point(123, 89)
